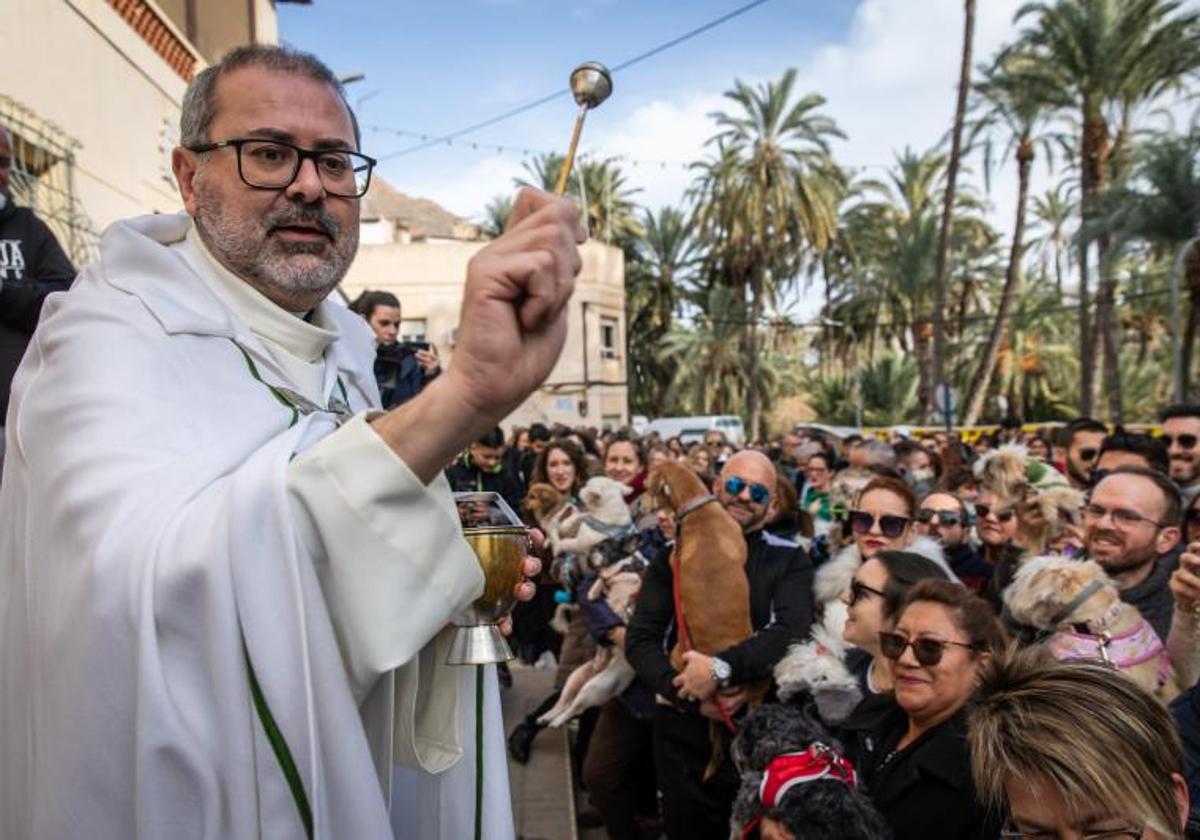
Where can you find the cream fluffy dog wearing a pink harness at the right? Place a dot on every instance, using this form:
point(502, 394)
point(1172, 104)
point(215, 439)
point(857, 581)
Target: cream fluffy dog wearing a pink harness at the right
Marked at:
point(1079, 611)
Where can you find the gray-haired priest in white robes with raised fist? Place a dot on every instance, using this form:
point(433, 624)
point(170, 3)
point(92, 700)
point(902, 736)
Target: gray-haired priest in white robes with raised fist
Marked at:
point(226, 578)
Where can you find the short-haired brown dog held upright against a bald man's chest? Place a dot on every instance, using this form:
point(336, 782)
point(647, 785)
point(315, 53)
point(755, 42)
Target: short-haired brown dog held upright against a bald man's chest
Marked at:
point(710, 563)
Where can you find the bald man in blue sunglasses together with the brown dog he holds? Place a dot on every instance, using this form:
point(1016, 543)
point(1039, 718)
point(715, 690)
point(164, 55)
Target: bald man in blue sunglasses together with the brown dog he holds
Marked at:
point(713, 619)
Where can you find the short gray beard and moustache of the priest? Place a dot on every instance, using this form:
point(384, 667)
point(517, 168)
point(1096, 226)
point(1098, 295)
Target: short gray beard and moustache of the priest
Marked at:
point(263, 262)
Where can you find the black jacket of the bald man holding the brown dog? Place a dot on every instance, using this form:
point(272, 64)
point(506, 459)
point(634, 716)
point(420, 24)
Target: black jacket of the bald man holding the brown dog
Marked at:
point(781, 578)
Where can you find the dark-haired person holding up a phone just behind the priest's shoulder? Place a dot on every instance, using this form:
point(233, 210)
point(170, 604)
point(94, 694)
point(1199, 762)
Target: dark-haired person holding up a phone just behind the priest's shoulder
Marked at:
point(401, 369)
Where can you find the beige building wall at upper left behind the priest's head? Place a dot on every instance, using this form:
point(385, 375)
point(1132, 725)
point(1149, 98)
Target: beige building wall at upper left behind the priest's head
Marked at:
point(80, 65)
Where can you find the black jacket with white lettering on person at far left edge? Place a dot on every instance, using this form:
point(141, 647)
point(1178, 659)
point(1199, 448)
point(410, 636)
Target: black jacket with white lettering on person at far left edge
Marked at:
point(32, 266)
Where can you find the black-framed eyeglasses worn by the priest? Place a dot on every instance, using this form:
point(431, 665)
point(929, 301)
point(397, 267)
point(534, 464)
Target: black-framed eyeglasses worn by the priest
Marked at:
point(274, 165)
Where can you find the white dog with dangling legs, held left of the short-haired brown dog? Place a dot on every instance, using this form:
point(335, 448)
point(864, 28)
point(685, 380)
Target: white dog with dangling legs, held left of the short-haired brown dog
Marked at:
point(601, 535)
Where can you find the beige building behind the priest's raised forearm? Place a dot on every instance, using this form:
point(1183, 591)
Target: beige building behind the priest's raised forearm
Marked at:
point(428, 278)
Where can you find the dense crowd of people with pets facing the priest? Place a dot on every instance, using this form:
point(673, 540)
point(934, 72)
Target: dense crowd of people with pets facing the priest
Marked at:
point(891, 609)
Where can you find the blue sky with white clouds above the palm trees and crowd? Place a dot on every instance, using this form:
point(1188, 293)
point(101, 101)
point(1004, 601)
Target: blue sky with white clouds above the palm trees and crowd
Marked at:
point(887, 68)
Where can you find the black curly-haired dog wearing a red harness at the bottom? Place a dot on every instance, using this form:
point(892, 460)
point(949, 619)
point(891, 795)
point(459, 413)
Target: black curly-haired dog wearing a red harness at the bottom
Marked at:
point(817, 803)
